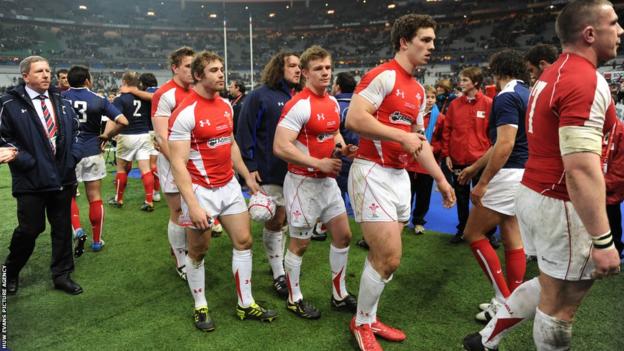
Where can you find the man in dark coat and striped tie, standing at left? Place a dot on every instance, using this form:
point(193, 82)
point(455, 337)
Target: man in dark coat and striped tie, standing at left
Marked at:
point(43, 129)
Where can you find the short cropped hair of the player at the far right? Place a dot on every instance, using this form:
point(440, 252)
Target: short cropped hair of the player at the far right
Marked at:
point(575, 16)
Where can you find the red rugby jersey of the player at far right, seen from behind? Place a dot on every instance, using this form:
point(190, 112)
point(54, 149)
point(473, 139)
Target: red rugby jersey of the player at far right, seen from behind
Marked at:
point(571, 92)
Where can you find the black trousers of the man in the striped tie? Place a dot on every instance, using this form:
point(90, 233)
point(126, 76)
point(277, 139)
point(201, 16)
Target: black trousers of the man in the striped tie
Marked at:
point(31, 213)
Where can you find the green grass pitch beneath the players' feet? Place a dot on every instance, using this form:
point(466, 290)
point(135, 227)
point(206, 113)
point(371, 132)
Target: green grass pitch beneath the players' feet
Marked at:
point(134, 300)
